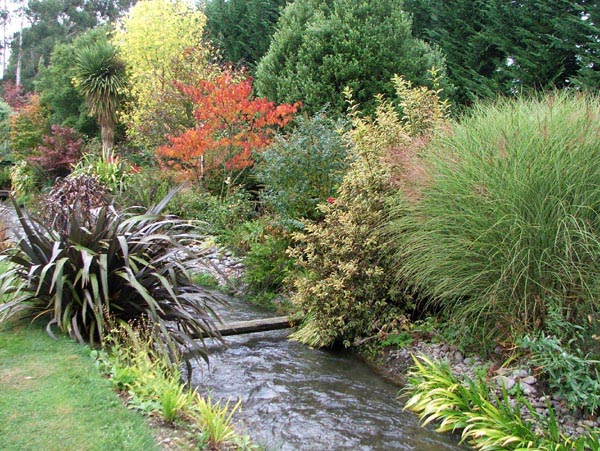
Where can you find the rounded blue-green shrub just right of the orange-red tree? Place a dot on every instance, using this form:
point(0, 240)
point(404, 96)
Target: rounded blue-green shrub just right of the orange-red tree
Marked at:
point(304, 168)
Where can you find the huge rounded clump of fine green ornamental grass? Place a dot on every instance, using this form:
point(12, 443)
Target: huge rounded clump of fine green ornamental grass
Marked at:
point(505, 218)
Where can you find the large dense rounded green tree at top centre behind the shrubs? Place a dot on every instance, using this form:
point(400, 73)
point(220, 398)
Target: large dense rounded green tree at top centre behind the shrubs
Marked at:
point(319, 48)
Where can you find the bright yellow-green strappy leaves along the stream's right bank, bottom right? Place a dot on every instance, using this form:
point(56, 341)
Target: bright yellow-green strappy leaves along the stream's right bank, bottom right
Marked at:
point(486, 422)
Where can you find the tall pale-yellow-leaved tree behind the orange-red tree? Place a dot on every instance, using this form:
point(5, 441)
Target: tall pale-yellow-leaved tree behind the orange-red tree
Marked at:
point(160, 42)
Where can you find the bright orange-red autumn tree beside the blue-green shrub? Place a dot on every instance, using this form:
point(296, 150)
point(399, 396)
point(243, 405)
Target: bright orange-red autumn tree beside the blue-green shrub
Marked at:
point(231, 125)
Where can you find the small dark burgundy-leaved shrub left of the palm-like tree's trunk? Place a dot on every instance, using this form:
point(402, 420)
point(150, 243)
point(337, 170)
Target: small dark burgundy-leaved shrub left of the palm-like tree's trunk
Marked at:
point(60, 151)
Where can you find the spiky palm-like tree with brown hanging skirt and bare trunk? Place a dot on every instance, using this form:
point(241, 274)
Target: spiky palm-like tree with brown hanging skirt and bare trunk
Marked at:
point(100, 77)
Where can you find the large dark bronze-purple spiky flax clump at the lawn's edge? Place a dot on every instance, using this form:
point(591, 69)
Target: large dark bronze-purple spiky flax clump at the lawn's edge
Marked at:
point(124, 264)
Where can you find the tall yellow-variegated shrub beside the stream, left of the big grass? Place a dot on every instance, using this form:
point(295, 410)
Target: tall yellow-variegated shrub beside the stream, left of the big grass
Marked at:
point(346, 288)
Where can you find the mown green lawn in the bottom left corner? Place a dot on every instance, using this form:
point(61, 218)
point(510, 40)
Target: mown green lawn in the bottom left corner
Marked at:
point(53, 398)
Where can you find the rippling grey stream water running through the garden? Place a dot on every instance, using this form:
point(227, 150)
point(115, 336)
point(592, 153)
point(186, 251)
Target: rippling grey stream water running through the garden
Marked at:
point(297, 398)
